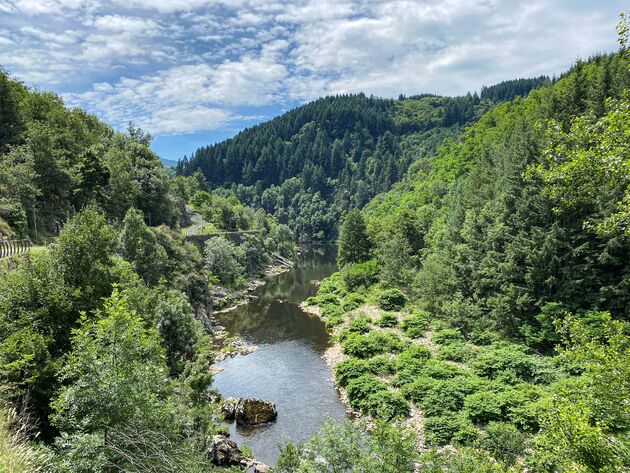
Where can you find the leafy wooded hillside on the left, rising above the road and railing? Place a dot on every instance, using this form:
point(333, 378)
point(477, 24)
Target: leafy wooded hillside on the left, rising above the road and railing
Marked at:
point(55, 161)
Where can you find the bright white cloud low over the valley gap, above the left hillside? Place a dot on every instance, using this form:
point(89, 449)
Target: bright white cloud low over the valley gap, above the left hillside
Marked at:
point(188, 98)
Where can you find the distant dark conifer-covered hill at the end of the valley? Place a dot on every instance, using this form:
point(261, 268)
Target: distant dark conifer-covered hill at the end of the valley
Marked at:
point(309, 165)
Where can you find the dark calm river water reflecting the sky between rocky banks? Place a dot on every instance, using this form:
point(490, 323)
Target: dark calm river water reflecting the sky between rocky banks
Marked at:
point(287, 368)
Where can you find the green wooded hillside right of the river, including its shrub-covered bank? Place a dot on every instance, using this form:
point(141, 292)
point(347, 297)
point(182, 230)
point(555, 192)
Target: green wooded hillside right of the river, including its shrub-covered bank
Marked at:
point(484, 300)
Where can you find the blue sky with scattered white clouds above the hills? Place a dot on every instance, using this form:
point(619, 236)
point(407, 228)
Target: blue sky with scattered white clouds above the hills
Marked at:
point(192, 72)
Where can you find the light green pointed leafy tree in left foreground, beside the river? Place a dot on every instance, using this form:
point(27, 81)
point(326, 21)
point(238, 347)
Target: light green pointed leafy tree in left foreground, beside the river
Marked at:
point(115, 373)
